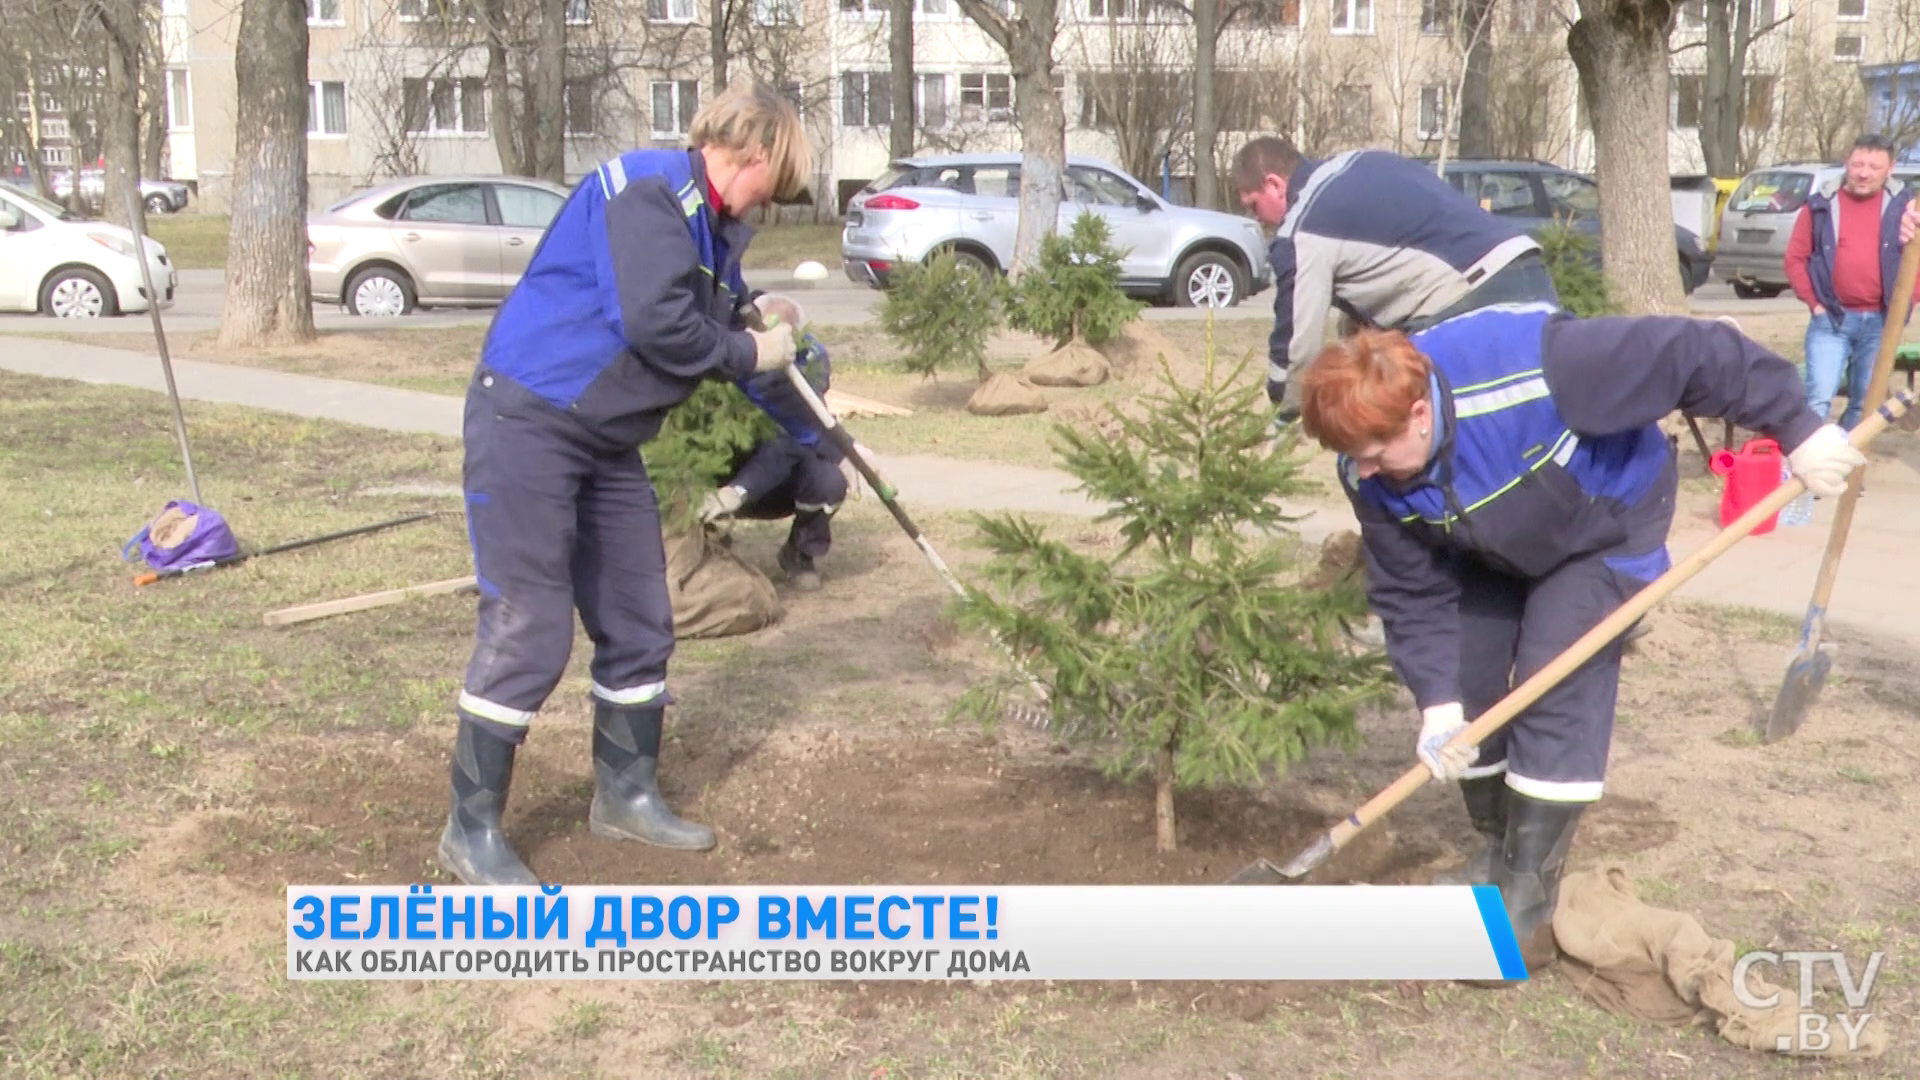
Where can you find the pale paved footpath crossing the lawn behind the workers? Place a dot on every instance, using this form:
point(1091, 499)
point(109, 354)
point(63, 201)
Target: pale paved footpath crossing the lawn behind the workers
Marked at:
point(1877, 589)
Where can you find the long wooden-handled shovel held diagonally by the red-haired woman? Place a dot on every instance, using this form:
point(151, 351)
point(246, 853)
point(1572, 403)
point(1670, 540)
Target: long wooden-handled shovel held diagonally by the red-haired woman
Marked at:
point(1527, 693)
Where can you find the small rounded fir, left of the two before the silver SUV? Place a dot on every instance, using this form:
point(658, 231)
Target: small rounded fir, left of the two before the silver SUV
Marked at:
point(942, 314)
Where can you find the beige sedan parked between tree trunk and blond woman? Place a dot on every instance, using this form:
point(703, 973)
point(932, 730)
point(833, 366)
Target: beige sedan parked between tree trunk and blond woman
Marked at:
point(429, 243)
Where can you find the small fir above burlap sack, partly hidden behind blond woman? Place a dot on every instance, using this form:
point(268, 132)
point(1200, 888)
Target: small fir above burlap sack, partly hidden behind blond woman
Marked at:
point(700, 447)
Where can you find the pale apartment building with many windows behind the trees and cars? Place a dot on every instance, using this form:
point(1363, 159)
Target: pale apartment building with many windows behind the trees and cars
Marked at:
point(404, 86)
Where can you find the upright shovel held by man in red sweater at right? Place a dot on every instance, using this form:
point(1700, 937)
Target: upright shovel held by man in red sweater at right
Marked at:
point(1812, 658)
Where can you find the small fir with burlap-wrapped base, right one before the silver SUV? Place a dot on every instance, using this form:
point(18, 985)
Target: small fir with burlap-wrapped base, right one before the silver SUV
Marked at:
point(1074, 289)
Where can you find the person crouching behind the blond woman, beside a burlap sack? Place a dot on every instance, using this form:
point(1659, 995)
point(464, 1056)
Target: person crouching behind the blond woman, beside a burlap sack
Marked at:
point(798, 474)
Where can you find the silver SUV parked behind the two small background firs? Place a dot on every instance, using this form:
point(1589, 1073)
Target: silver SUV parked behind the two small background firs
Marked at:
point(971, 205)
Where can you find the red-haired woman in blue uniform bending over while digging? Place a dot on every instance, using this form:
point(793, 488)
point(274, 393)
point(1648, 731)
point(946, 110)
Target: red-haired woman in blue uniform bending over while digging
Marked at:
point(1514, 489)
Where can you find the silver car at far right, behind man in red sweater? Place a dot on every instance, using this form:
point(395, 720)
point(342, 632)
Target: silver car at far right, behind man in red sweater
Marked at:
point(1758, 222)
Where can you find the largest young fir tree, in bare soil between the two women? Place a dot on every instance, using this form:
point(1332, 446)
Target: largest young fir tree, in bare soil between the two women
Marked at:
point(1197, 652)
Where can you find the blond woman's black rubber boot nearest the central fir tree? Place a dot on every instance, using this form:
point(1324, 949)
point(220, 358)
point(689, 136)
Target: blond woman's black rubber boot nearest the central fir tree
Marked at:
point(627, 795)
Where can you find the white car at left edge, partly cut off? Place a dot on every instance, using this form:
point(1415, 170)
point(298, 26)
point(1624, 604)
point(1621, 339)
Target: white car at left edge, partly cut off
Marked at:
point(60, 264)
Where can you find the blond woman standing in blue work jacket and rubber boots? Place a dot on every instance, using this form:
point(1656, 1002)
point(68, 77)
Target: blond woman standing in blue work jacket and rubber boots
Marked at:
point(631, 301)
